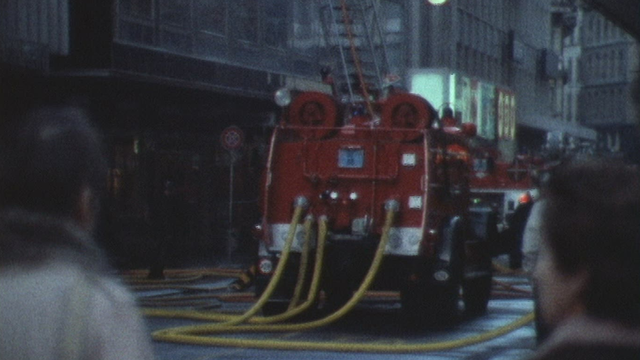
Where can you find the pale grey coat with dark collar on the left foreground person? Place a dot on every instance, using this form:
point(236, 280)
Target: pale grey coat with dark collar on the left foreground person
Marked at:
point(57, 300)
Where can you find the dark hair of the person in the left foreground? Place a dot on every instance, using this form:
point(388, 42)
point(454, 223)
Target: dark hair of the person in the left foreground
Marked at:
point(49, 156)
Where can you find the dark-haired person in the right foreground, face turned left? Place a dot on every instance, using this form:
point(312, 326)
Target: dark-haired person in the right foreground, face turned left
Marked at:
point(587, 272)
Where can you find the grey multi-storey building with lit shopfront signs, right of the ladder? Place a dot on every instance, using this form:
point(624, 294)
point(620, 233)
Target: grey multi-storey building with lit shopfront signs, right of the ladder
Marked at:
point(505, 57)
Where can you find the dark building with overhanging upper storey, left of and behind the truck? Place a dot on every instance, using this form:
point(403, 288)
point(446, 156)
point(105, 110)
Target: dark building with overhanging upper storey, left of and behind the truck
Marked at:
point(164, 79)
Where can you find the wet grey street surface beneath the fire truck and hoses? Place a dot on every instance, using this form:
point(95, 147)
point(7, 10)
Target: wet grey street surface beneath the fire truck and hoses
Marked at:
point(375, 321)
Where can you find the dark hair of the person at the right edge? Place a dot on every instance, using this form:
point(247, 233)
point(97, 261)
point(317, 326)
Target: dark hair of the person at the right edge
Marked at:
point(593, 225)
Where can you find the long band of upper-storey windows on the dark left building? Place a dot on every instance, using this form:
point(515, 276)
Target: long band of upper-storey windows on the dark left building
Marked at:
point(275, 35)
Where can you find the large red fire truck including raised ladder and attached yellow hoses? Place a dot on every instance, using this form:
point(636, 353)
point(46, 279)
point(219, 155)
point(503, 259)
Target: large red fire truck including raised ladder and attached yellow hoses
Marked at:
point(385, 182)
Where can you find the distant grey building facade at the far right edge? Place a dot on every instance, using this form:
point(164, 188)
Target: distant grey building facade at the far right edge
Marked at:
point(608, 64)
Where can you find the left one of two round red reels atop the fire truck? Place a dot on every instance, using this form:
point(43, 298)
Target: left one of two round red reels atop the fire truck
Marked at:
point(315, 113)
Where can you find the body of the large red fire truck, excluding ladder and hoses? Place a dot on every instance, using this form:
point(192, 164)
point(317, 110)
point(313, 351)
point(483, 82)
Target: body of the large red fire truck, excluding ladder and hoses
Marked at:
point(350, 163)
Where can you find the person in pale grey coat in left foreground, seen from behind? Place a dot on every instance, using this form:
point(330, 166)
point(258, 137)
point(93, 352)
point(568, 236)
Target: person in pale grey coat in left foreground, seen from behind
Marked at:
point(57, 299)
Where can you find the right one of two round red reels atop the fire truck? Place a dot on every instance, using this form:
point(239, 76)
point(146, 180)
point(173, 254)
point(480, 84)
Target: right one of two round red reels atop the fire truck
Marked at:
point(406, 112)
